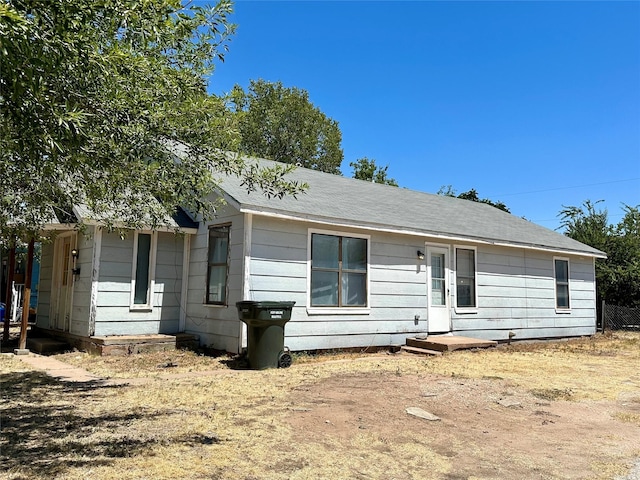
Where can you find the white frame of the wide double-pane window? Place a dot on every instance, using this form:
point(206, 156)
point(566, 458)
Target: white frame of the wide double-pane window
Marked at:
point(356, 310)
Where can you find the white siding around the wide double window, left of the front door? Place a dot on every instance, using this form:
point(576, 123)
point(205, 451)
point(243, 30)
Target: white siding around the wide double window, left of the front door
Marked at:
point(397, 286)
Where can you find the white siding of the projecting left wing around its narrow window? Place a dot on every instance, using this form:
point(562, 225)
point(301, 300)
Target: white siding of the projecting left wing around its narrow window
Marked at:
point(113, 313)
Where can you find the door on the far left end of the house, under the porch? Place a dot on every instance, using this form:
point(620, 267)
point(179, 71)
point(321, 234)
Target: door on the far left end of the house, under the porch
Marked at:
point(63, 284)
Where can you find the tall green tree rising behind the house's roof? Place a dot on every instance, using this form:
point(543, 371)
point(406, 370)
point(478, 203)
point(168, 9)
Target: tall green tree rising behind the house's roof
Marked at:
point(281, 123)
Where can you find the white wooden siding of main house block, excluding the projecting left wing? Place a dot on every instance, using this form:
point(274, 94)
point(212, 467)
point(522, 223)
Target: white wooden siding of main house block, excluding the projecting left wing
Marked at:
point(516, 290)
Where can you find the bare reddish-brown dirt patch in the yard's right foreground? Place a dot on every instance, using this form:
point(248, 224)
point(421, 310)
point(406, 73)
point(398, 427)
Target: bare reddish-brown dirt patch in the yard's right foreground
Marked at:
point(487, 428)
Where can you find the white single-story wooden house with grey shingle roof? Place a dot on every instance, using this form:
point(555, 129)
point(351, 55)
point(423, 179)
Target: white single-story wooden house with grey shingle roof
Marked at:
point(366, 264)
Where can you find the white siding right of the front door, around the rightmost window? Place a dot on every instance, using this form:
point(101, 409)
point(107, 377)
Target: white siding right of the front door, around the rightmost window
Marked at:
point(516, 293)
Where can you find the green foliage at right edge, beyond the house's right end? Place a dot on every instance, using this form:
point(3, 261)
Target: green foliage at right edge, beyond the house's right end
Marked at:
point(617, 276)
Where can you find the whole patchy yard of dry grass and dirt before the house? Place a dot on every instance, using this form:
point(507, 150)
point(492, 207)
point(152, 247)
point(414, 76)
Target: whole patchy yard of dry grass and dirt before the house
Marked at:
point(555, 410)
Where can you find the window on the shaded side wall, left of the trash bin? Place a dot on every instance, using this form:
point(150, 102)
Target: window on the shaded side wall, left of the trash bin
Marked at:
point(217, 265)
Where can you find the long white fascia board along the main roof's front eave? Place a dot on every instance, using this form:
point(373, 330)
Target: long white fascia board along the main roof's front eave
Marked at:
point(400, 231)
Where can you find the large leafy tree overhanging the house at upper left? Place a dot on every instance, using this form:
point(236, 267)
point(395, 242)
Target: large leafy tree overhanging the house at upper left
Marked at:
point(95, 96)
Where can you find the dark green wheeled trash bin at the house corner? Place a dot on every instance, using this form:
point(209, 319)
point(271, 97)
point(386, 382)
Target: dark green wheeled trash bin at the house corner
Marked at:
point(265, 333)
